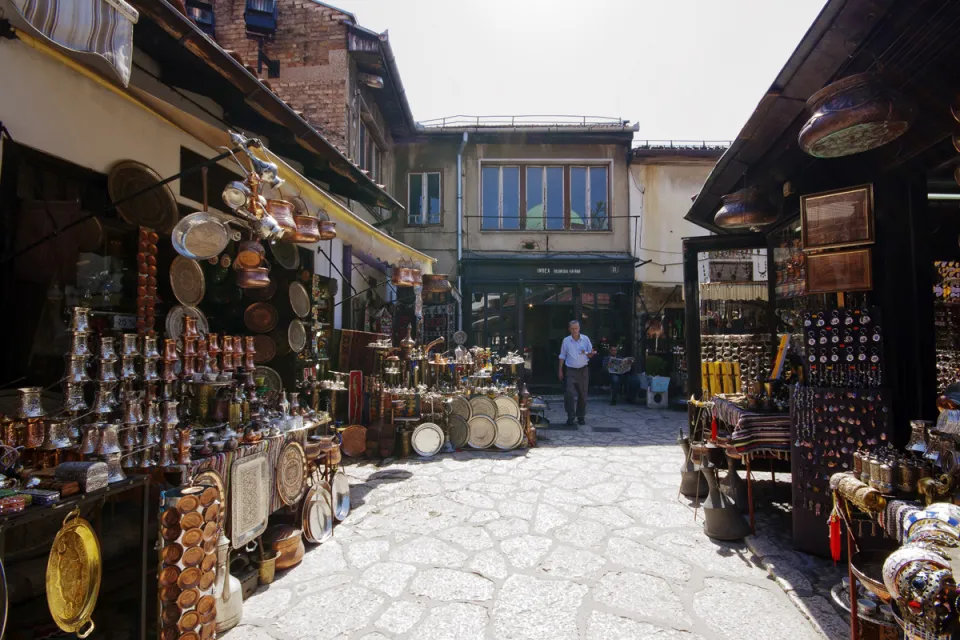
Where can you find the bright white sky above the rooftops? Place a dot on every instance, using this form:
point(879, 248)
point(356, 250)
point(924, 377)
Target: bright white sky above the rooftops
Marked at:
point(683, 69)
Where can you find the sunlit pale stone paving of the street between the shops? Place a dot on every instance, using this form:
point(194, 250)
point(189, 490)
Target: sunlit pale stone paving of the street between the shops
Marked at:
point(582, 537)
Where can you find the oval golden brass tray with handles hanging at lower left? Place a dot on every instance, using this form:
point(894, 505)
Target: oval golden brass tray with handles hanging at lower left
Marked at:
point(73, 575)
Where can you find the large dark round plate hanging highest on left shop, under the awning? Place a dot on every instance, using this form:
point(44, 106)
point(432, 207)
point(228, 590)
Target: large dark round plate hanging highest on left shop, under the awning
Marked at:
point(155, 209)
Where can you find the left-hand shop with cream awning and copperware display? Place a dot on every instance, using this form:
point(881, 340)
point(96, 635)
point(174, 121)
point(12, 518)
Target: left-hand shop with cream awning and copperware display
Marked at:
point(167, 436)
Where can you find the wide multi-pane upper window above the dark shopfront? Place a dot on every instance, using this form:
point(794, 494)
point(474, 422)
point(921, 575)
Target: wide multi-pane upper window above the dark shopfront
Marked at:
point(545, 197)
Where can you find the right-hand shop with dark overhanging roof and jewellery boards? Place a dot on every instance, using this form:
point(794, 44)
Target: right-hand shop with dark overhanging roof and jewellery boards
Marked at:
point(846, 177)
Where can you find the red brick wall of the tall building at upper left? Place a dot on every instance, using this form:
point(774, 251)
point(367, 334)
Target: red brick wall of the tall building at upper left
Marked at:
point(311, 46)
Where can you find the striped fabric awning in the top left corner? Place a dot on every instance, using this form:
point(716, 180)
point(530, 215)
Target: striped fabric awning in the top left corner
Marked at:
point(98, 33)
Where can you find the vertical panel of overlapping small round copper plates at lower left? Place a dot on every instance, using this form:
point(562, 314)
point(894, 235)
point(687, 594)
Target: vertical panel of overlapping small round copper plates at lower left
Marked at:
point(189, 532)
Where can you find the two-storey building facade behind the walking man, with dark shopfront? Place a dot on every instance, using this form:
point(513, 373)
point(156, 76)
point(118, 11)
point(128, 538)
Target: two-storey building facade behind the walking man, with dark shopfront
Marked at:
point(531, 222)
